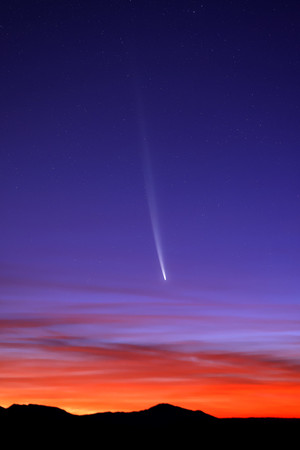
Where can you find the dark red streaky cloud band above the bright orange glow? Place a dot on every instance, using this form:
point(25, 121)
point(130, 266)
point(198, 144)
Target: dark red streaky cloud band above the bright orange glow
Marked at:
point(121, 361)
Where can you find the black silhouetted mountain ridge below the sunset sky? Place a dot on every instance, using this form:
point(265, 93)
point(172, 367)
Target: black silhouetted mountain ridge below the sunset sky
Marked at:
point(160, 425)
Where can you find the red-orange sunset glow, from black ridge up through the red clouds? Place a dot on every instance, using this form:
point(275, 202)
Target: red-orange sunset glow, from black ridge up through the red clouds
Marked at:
point(126, 380)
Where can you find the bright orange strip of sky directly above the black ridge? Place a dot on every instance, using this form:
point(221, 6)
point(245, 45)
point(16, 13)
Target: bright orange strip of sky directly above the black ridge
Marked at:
point(221, 402)
